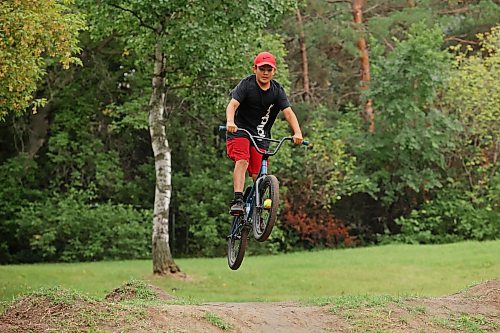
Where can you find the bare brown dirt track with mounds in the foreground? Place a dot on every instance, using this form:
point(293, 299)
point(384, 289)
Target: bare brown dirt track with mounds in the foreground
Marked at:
point(476, 309)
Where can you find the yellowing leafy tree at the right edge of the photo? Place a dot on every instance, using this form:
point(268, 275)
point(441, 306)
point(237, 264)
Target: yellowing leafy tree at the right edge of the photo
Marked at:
point(473, 97)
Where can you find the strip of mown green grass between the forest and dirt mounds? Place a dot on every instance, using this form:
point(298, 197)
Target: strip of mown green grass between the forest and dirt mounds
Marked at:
point(385, 270)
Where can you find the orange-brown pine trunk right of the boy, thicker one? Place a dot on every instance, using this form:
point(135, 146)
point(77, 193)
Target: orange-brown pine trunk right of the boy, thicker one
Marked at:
point(357, 11)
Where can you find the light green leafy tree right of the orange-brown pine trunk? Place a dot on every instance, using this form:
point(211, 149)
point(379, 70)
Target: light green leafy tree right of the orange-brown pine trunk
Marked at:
point(406, 156)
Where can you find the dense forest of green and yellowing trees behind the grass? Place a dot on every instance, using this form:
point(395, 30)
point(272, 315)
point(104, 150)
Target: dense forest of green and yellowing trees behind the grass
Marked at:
point(77, 167)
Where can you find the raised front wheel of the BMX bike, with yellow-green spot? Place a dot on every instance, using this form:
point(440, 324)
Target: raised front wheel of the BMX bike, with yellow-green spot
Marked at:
point(263, 219)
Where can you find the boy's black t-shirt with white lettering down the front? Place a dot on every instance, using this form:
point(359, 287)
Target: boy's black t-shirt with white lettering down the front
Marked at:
point(258, 109)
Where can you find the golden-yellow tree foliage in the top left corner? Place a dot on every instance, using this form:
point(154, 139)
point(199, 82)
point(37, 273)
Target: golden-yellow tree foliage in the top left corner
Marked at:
point(30, 31)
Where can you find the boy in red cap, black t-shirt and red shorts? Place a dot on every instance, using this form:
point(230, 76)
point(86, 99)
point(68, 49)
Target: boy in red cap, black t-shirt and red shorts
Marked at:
point(255, 103)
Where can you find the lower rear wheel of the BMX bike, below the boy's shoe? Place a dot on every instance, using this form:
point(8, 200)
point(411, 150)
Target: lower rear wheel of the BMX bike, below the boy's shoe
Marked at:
point(237, 243)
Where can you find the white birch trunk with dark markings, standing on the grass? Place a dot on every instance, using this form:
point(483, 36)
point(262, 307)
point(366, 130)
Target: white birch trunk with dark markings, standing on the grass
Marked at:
point(163, 263)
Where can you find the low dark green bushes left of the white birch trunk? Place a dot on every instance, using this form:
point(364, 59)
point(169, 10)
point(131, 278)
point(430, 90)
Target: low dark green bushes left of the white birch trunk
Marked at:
point(65, 228)
